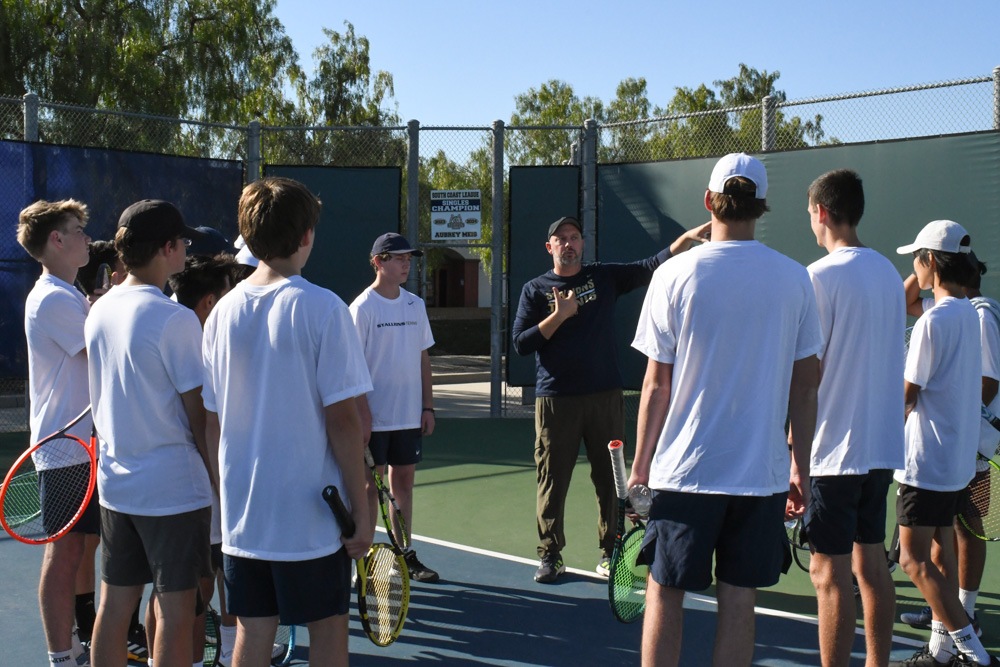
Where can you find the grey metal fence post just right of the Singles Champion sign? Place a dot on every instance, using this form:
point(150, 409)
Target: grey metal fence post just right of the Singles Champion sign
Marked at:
point(497, 234)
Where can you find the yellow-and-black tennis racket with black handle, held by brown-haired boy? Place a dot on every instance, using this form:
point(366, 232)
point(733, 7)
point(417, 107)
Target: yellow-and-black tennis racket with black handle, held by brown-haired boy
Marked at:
point(383, 581)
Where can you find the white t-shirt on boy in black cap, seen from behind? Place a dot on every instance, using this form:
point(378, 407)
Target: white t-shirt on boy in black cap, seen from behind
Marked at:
point(144, 351)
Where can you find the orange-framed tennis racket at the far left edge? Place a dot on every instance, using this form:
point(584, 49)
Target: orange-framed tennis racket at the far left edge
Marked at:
point(47, 489)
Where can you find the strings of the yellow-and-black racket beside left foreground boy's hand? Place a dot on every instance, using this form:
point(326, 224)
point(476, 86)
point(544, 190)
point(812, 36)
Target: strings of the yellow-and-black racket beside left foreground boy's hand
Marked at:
point(385, 594)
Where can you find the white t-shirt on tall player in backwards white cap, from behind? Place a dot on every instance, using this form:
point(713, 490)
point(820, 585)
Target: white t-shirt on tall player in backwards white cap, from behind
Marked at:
point(732, 317)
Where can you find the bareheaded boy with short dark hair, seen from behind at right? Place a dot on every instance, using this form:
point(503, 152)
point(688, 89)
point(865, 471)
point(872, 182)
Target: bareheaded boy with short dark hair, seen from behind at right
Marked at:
point(858, 442)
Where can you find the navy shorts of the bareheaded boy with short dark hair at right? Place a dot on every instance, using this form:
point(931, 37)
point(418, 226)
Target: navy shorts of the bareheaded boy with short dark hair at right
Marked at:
point(845, 509)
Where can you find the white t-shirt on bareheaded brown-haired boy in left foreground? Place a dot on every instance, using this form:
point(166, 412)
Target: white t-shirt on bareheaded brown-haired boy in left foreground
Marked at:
point(275, 357)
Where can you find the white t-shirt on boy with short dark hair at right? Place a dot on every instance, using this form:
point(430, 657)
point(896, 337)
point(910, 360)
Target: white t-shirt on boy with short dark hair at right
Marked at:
point(862, 313)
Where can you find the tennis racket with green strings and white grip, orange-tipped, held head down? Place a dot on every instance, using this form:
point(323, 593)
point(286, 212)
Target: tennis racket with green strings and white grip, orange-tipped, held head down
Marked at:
point(626, 580)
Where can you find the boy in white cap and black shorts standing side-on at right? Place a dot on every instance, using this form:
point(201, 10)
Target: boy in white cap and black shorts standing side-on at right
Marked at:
point(942, 394)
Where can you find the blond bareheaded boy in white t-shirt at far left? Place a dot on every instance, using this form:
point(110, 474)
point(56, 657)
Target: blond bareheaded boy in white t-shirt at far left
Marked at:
point(54, 314)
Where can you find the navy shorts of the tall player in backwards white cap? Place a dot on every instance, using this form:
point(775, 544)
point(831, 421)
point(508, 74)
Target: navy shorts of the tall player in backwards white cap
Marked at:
point(746, 534)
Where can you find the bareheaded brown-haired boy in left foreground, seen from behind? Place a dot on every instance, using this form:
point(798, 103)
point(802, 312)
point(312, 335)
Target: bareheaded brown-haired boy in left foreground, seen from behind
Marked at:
point(283, 368)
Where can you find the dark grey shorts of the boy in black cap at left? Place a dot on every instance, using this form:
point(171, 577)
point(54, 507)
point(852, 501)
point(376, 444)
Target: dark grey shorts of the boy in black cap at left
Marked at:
point(172, 552)
